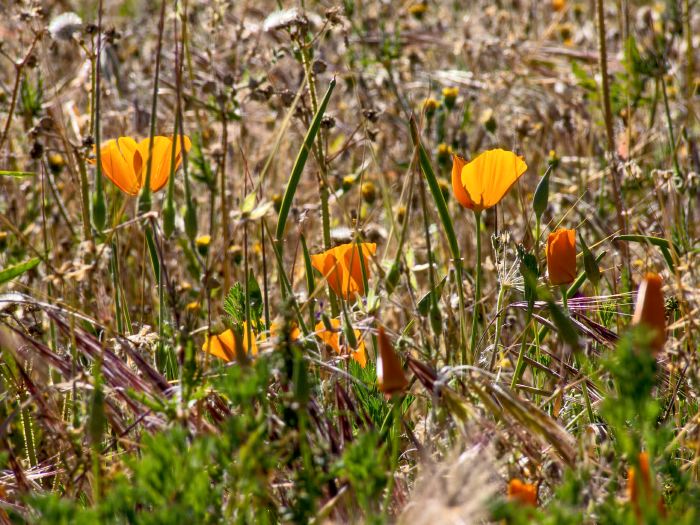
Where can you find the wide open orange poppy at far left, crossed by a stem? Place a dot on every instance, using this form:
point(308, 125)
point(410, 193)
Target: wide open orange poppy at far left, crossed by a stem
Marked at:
point(124, 161)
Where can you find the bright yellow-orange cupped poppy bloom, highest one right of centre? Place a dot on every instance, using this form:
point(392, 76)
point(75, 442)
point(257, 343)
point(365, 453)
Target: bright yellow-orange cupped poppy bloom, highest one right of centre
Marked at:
point(483, 182)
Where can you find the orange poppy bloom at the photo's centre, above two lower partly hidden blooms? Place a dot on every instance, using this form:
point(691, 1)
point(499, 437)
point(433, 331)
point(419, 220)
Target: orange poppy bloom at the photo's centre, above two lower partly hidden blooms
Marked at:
point(342, 267)
